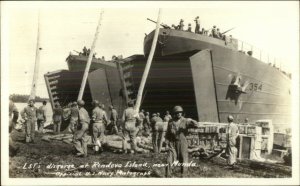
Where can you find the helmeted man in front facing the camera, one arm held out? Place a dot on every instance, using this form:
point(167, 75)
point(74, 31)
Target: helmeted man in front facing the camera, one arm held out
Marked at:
point(176, 139)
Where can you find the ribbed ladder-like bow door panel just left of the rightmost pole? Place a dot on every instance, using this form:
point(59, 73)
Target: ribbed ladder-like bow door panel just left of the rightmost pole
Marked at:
point(125, 71)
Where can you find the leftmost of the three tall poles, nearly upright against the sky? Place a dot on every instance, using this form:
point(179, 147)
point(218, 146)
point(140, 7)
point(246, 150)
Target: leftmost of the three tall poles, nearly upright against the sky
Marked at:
point(37, 62)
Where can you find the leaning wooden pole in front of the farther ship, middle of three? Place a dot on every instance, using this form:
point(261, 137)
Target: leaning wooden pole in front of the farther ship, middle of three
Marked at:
point(88, 65)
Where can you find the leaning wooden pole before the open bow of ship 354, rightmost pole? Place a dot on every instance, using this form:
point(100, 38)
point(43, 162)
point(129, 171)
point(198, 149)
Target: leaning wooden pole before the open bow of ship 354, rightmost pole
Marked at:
point(149, 61)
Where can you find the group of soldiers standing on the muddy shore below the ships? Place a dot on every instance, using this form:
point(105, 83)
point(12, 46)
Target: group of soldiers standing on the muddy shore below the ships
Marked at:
point(174, 134)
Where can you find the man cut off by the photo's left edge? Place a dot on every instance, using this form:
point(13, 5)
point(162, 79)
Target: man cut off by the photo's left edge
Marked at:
point(13, 118)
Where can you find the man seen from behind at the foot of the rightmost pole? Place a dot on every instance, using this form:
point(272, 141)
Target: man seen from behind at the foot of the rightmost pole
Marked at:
point(131, 122)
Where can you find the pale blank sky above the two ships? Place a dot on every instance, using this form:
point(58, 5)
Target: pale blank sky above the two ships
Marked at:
point(271, 26)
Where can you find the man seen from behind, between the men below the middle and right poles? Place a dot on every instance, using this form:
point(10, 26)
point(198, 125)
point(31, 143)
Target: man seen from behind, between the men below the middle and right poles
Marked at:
point(99, 119)
